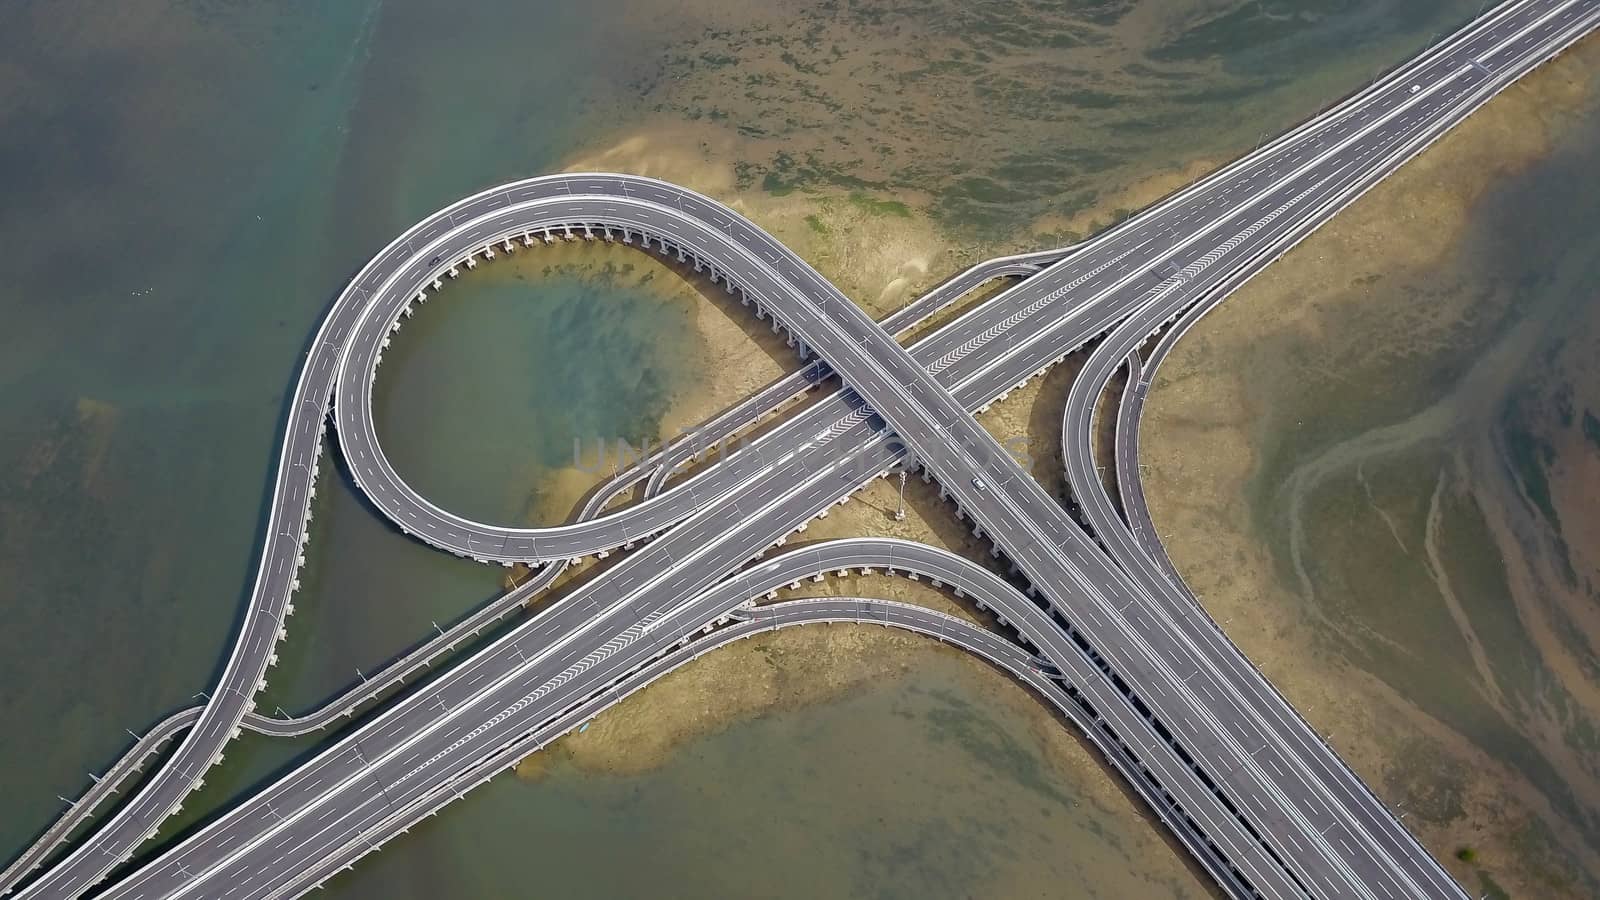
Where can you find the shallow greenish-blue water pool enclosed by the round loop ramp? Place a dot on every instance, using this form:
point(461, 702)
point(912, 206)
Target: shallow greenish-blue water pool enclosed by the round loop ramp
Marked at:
point(486, 392)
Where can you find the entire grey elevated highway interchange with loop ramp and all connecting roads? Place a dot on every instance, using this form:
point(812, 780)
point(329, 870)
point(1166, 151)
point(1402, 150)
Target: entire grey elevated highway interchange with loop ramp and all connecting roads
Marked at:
point(1111, 635)
